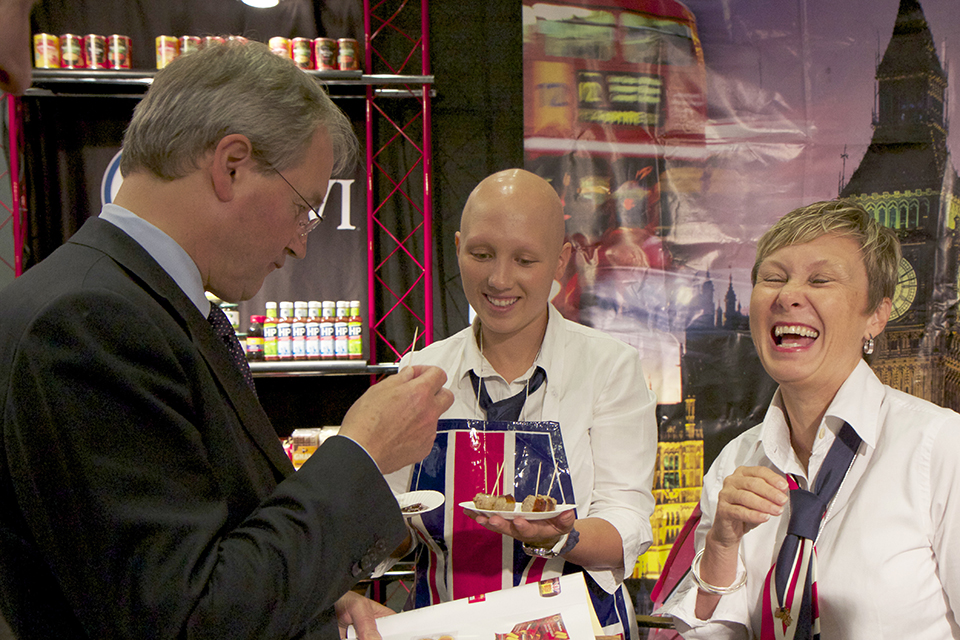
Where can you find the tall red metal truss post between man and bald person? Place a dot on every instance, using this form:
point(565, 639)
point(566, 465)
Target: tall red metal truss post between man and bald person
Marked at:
point(393, 22)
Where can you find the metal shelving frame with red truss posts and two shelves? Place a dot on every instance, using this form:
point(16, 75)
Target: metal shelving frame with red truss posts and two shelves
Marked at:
point(396, 42)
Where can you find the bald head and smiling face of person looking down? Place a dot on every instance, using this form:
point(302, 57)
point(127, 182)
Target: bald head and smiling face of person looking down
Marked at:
point(510, 249)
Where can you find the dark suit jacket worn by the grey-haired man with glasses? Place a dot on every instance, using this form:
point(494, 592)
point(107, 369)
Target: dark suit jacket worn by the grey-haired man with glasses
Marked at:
point(143, 491)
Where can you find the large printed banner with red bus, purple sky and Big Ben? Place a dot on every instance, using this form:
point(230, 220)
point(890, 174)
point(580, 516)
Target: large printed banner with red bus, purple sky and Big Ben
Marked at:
point(676, 134)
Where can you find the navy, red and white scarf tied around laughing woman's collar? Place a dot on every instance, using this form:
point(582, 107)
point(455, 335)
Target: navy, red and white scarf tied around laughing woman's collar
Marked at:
point(790, 608)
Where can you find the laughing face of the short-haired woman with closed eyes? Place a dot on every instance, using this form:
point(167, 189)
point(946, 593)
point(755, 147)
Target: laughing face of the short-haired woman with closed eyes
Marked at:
point(809, 317)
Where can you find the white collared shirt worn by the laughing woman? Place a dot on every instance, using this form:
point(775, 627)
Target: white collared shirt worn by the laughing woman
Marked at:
point(888, 558)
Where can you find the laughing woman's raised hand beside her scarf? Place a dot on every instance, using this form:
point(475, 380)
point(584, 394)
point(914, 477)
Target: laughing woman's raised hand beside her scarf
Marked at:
point(750, 495)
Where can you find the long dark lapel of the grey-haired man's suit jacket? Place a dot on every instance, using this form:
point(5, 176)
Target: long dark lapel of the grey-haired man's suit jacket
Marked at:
point(105, 237)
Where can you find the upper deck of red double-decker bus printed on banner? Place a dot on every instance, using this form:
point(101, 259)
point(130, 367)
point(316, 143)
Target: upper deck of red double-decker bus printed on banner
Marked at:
point(628, 73)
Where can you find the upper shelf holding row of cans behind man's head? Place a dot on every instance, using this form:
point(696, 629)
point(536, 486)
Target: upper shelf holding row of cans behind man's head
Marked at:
point(104, 83)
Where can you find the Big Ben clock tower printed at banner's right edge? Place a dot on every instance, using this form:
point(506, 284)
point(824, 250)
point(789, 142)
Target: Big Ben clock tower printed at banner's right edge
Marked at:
point(908, 182)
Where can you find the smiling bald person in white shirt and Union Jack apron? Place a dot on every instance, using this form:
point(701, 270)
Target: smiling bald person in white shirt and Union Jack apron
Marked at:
point(511, 249)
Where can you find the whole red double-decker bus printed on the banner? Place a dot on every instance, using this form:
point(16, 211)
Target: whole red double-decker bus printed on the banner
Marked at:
point(614, 116)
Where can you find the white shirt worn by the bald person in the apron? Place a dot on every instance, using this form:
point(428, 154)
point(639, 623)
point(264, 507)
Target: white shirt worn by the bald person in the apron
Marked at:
point(596, 390)
